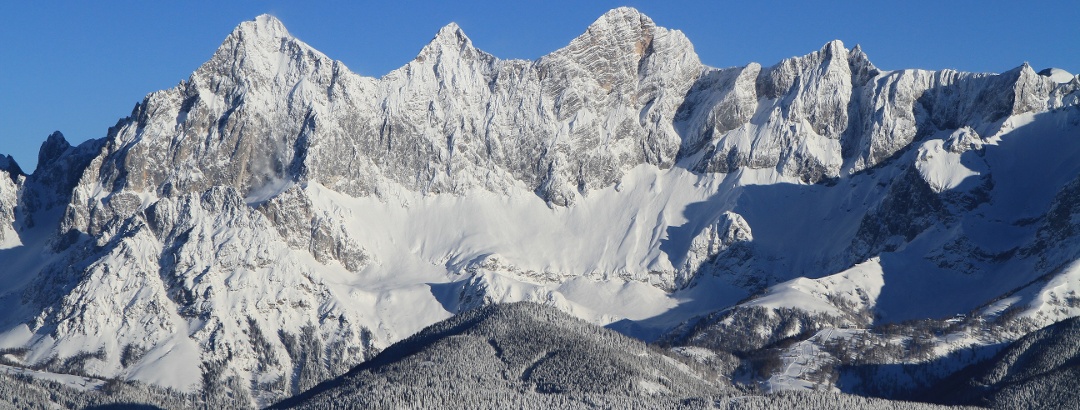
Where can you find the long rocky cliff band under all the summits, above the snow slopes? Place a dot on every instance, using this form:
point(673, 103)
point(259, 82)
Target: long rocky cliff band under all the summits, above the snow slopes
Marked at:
point(268, 111)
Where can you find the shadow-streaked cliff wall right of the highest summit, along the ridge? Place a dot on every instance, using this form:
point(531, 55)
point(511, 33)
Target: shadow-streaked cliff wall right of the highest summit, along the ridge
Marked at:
point(833, 113)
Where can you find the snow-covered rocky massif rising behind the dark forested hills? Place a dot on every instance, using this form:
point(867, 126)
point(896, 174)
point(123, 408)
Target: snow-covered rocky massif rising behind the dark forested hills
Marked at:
point(276, 218)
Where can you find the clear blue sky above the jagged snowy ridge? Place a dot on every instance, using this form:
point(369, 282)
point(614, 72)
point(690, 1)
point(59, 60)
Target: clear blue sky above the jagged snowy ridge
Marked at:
point(80, 66)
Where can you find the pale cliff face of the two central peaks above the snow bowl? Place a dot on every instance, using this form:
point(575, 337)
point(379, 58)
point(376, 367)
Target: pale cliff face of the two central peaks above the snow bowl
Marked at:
point(456, 118)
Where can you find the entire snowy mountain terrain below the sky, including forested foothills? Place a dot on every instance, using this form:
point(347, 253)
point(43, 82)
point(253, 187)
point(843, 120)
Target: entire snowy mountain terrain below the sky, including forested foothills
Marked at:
point(762, 237)
